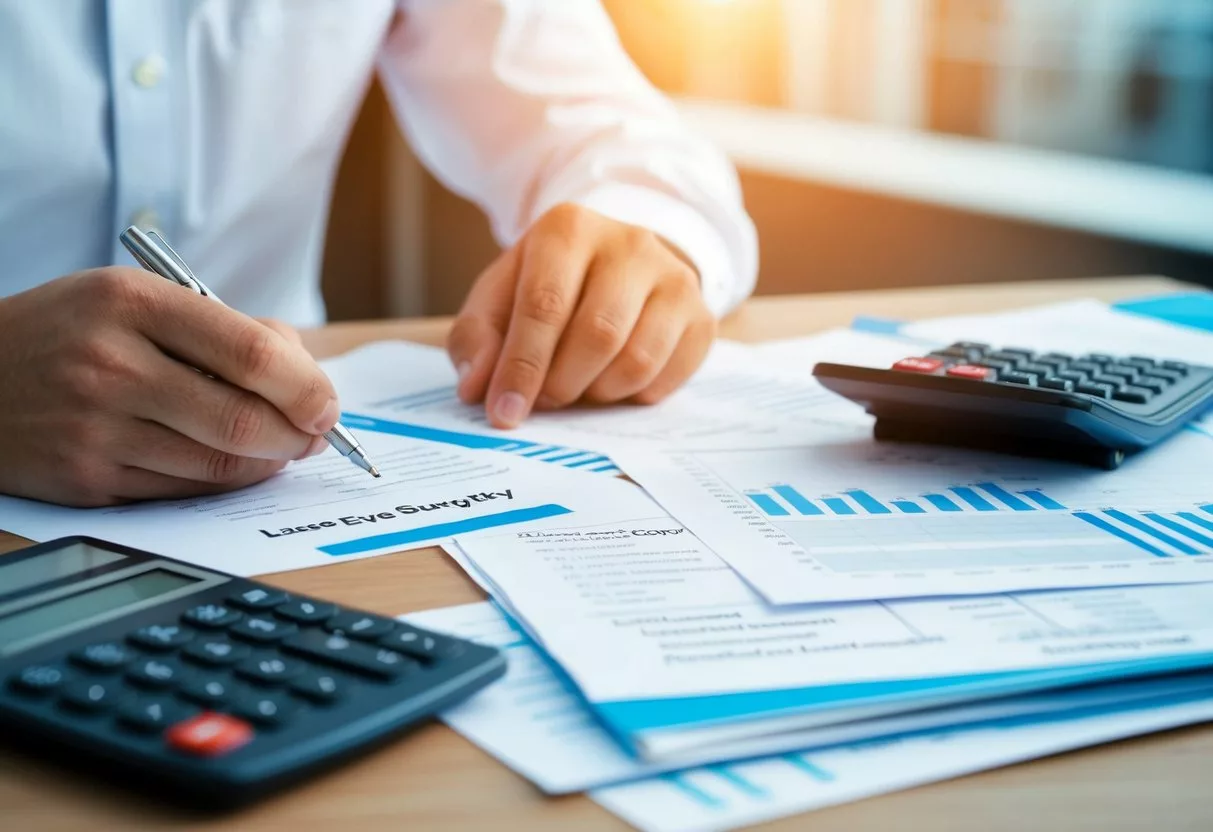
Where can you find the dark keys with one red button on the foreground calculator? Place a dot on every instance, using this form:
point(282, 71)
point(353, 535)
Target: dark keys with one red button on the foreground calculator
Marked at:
point(226, 671)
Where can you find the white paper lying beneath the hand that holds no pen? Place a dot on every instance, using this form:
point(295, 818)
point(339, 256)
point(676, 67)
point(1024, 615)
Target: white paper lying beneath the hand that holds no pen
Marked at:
point(741, 398)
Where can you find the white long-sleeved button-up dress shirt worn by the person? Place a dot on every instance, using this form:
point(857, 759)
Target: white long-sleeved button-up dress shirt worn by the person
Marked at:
point(223, 122)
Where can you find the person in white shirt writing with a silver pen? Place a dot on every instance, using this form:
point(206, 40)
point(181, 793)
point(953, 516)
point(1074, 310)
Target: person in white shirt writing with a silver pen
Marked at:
point(221, 123)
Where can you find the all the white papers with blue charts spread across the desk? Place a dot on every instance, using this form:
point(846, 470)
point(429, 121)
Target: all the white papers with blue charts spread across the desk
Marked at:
point(844, 618)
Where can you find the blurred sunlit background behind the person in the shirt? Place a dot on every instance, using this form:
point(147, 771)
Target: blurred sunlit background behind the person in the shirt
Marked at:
point(881, 144)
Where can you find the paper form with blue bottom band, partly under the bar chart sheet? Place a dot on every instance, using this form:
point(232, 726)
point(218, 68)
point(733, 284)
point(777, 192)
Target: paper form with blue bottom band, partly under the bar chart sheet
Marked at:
point(664, 640)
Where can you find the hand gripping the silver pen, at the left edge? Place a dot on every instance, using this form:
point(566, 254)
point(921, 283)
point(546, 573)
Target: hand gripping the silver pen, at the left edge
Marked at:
point(117, 385)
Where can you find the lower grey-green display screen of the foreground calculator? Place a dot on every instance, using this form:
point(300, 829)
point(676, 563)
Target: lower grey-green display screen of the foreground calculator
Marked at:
point(84, 606)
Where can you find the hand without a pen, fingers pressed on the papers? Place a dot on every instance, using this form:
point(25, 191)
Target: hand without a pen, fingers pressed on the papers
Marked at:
point(582, 309)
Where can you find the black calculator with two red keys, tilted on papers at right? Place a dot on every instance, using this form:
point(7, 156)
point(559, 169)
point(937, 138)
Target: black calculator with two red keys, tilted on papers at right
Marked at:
point(1092, 409)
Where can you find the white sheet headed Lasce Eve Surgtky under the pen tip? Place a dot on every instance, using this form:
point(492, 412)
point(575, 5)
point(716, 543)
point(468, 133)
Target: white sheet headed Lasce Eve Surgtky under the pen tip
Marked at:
point(324, 510)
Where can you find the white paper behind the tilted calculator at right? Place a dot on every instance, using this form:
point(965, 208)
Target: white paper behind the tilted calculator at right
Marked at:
point(1075, 328)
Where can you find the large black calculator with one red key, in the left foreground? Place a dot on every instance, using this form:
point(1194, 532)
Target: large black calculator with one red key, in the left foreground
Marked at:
point(202, 686)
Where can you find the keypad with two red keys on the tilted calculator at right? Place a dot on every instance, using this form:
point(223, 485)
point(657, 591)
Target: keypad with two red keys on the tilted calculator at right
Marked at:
point(1135, 380)
